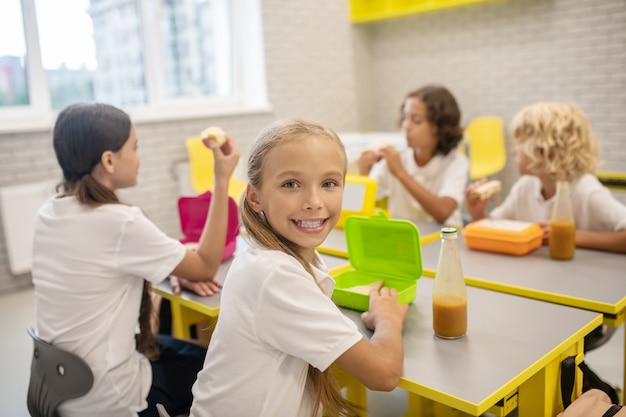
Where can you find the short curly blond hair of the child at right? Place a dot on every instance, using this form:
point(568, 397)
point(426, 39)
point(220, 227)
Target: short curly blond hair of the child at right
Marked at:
point(558, 139)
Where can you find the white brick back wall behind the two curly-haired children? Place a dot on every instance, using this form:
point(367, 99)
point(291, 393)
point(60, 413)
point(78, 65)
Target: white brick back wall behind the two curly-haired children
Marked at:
point(498, 57)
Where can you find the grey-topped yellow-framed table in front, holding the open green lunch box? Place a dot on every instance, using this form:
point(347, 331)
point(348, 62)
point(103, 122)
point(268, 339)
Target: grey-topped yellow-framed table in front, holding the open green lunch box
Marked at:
point(509, 359)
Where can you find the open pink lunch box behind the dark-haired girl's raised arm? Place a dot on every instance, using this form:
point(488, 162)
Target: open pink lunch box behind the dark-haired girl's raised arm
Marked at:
point(193, 212)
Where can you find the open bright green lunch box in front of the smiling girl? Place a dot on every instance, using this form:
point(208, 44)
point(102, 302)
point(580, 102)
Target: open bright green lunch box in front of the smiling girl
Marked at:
point(379, 248)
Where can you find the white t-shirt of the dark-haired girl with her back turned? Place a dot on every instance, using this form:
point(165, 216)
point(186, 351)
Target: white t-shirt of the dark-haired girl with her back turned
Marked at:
point(88, 268)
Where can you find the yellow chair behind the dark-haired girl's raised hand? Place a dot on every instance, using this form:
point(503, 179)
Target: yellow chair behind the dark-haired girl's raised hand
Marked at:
point(201, 168)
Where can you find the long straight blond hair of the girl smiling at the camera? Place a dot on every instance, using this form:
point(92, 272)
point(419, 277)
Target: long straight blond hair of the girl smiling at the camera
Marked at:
point(328, 396)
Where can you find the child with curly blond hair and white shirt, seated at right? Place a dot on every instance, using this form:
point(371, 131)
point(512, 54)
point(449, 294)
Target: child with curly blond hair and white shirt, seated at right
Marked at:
point(554, 142)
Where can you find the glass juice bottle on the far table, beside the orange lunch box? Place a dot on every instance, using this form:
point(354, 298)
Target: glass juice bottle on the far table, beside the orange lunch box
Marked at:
point(562, 242)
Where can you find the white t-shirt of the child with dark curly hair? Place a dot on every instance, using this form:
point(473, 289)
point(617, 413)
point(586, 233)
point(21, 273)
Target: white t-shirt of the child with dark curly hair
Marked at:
point(445, 176)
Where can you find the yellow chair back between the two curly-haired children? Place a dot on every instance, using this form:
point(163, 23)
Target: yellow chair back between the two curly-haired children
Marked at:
point(485, 146)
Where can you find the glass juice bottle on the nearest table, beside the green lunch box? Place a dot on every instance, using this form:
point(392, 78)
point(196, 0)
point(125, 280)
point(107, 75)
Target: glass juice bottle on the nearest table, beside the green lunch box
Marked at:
point(449, 292)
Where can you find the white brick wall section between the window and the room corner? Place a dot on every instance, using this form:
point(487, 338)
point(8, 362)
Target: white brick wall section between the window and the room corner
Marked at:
point(310, 61)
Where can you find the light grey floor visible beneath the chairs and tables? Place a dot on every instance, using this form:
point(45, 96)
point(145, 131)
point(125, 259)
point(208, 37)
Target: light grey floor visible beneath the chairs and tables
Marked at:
point(17, 312)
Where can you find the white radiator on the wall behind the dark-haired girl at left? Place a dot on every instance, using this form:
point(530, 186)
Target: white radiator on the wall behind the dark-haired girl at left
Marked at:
point(18, 206)
